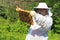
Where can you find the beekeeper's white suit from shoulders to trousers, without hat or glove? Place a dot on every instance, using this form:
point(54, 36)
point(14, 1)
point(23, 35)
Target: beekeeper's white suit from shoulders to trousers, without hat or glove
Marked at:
point(36, 31)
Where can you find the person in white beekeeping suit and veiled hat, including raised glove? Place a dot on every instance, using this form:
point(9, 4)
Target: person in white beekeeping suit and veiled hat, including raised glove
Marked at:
point(42, 23)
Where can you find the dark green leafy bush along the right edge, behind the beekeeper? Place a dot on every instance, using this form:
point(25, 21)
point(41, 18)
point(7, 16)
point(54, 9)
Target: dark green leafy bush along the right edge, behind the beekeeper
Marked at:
point(56, 17)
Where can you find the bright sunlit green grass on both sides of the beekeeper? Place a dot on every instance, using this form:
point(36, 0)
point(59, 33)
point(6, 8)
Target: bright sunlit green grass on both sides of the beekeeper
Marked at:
point(12, 32)
